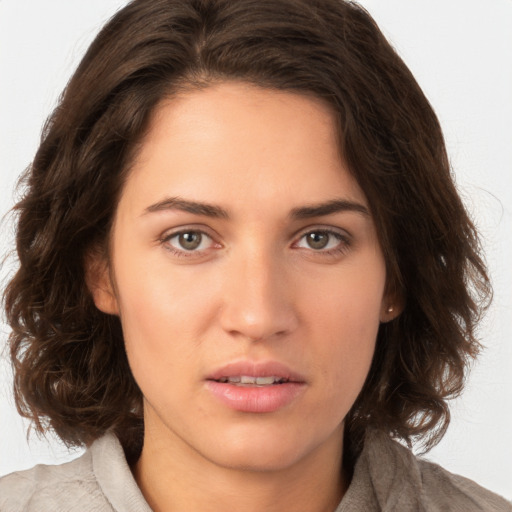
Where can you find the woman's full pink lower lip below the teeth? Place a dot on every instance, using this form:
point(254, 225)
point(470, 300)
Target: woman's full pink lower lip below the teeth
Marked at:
point(258, 399)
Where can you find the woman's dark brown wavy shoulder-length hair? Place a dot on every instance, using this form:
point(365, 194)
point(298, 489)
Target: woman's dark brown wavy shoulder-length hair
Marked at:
point(71, 370)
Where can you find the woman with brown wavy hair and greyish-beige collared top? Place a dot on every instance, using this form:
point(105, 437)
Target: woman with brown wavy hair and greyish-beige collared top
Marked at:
point(244, 269)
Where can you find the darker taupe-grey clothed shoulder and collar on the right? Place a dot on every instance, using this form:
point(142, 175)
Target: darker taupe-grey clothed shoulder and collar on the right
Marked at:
point(401, 481)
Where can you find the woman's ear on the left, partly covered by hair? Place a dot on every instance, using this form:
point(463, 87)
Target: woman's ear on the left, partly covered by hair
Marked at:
point(99, 282)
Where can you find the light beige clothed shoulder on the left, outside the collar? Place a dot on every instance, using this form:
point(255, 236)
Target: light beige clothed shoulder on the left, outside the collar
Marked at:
point(66, 487)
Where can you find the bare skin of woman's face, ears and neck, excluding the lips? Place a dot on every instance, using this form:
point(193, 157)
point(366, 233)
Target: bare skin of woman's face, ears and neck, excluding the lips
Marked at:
point(254, 289)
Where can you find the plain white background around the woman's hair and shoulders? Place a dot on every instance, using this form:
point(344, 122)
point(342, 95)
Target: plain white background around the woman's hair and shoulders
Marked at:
point(461, 54)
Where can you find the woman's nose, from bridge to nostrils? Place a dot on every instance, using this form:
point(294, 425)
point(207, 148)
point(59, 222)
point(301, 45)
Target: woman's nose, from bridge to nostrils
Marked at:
point(258, 302)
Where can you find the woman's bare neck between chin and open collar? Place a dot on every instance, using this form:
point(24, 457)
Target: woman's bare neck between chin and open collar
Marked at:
point(174, 477)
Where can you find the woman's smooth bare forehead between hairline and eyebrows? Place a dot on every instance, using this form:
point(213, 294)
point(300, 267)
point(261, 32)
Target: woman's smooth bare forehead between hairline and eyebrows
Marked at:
point(242, 144)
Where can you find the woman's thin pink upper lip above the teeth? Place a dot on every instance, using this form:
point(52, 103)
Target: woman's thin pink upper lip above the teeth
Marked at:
point(256, 369)
